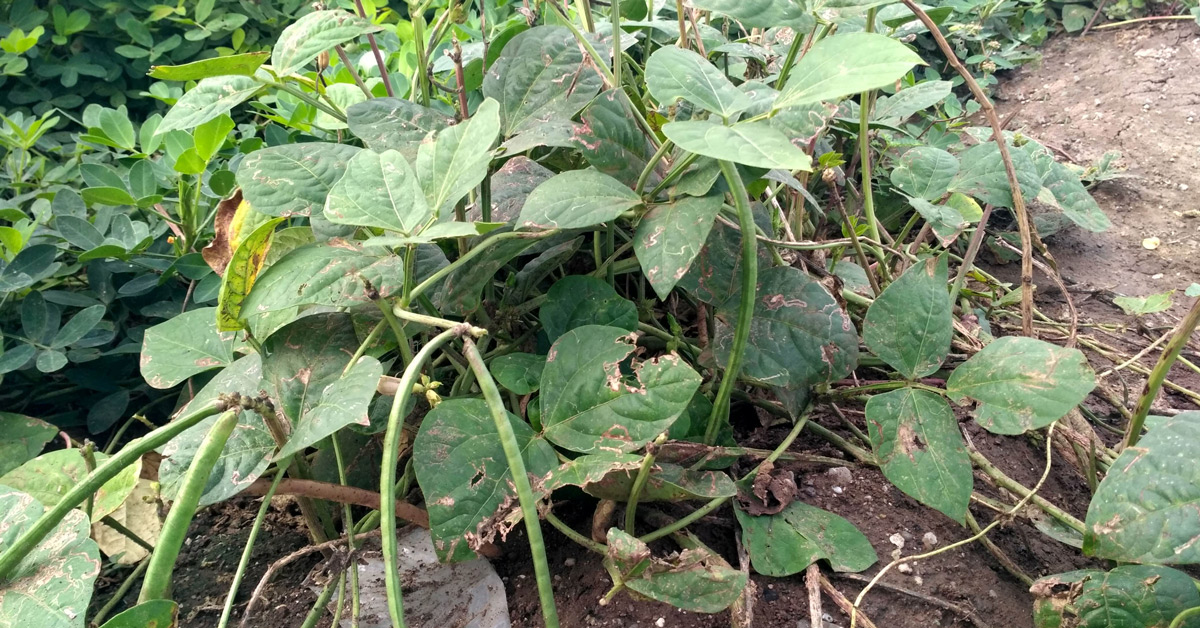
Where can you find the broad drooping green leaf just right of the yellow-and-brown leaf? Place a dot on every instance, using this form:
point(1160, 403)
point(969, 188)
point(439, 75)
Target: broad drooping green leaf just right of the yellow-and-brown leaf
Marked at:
point(335, 274)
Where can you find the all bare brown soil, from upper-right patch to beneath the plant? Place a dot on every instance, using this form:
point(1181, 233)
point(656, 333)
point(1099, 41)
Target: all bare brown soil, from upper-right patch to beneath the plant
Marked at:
point(1131, 91)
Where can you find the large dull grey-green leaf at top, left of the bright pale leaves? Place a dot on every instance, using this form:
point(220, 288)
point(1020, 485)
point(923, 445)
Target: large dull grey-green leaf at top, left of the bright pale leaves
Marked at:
point(541, 76)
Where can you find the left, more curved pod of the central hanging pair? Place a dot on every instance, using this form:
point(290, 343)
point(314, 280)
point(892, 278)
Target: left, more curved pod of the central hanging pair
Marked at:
point(400, 406)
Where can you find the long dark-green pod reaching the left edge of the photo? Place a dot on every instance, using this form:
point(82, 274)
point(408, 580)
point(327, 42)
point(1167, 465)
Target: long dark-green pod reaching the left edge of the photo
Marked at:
point(77, 495)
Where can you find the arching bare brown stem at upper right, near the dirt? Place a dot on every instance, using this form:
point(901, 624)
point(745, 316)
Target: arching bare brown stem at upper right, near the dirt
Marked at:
point(998, 133)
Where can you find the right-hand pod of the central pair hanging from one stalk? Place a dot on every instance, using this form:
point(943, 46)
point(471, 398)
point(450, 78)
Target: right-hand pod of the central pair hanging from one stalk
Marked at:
point(520, 480)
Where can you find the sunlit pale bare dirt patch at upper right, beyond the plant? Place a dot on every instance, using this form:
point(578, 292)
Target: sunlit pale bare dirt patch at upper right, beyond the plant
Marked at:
point(1132, 91)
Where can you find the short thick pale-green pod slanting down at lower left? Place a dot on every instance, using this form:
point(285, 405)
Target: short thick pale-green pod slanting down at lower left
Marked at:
point(175, 528)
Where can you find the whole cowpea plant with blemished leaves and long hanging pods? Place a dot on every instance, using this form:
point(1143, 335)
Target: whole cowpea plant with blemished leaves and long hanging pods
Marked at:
point(559, 258)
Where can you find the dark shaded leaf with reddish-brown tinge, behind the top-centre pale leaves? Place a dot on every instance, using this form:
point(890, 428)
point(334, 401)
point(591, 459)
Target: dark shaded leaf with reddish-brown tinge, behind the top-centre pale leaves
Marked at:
point(610, 140)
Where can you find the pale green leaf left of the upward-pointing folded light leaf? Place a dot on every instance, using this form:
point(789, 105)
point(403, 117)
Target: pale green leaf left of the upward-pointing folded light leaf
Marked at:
point(379, 190)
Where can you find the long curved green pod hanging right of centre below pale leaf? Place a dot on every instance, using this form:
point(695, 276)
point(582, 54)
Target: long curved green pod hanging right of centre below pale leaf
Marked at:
point(746, 308)
